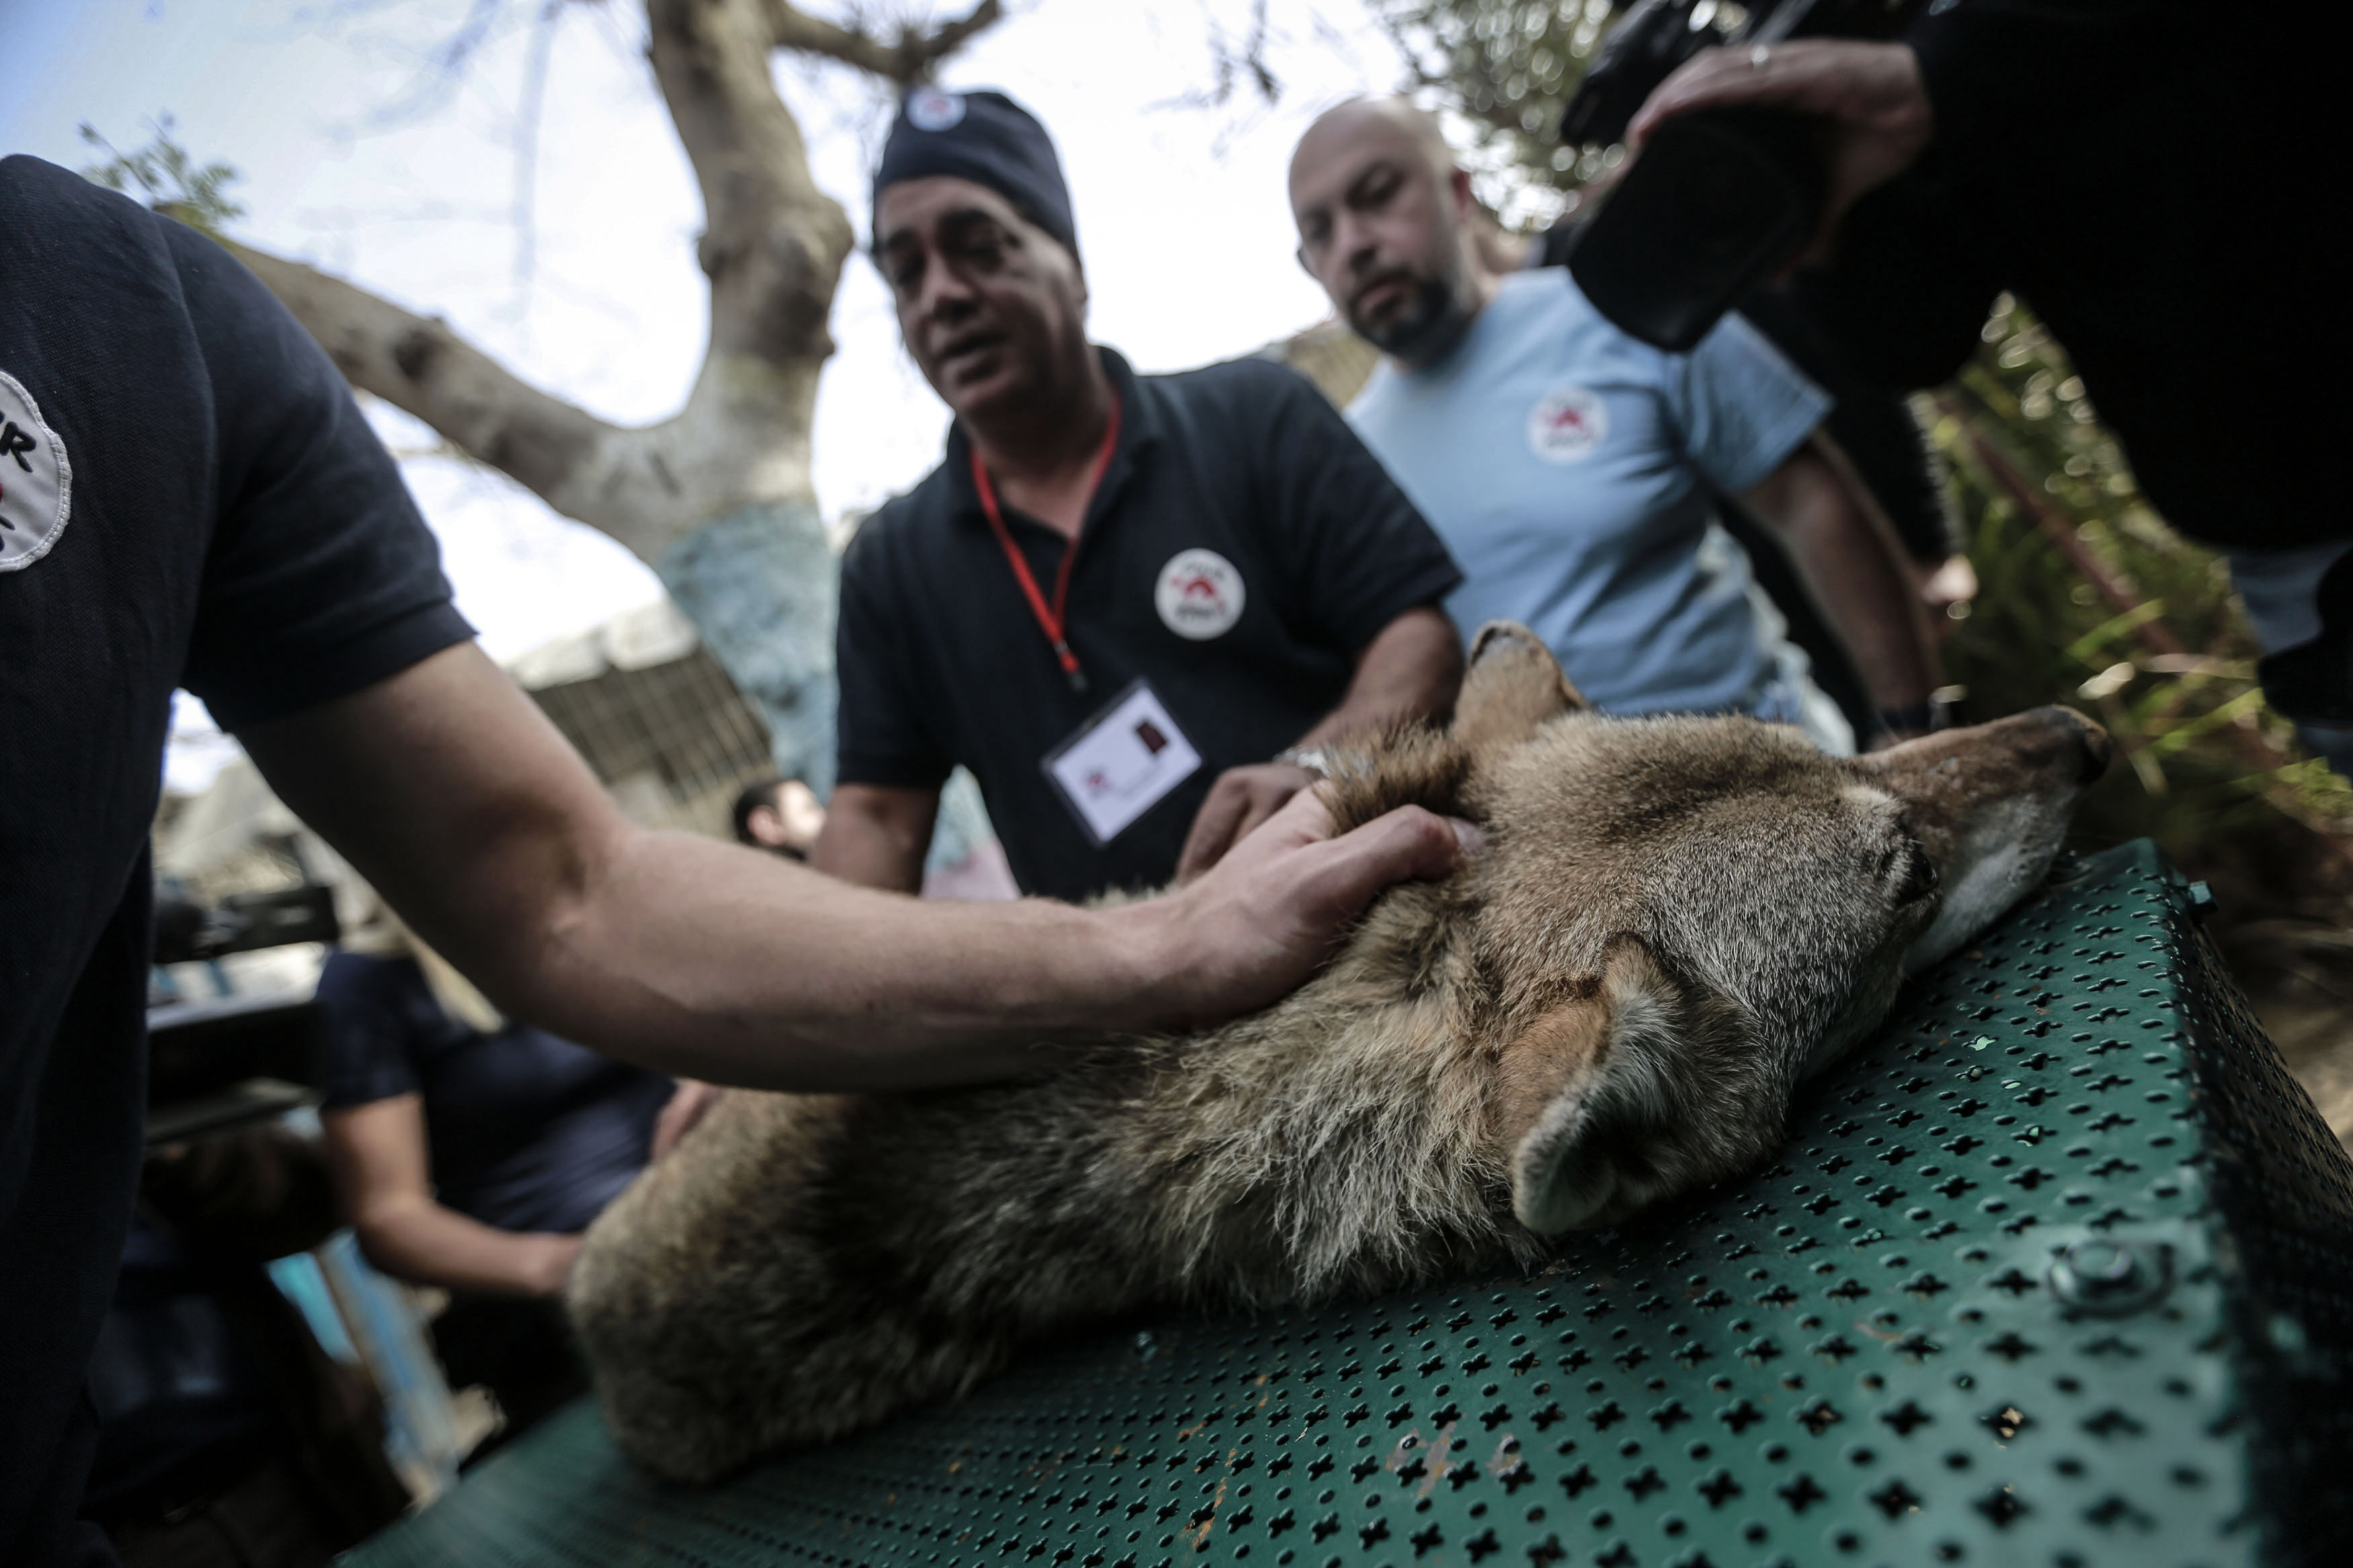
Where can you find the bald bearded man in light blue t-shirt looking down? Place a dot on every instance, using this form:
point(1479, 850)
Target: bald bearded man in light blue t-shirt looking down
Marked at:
point(1575, 471)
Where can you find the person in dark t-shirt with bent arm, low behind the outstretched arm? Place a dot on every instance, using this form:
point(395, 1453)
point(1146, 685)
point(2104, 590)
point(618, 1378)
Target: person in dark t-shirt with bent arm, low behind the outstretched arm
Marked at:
point(472, 1155)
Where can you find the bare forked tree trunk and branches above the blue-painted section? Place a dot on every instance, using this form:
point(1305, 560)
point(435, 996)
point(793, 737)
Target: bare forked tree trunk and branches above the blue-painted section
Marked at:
point(773, 248)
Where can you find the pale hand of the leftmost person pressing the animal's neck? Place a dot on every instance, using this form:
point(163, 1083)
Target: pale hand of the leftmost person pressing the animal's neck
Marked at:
point(1267, 916)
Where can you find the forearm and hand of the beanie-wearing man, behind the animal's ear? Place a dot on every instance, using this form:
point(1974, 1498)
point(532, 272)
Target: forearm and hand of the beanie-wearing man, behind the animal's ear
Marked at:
point(1408, 671)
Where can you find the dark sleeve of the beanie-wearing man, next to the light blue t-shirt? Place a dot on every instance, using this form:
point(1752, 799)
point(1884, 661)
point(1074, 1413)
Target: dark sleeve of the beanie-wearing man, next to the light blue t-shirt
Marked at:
point(1359, 551)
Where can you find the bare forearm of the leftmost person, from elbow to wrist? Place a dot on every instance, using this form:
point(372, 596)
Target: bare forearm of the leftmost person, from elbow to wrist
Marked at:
point(698, 960)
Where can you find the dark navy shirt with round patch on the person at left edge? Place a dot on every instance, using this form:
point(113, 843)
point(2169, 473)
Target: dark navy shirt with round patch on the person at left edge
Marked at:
point(199, 504)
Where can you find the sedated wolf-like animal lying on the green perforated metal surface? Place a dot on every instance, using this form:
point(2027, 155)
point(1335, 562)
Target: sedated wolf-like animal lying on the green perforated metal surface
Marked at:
point(1672, 925)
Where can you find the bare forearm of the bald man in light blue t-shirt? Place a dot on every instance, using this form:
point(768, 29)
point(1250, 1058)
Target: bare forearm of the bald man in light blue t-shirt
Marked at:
point(1851, 561)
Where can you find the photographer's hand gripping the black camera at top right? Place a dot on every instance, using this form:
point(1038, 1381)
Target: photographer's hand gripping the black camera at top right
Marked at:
point(1872, 98)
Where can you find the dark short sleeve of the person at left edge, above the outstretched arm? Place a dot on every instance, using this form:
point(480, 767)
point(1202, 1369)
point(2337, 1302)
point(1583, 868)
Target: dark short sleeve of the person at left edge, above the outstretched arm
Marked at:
point(324, 577)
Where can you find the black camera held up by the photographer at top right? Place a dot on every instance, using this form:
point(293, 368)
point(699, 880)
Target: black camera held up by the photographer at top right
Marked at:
point(1721, 199)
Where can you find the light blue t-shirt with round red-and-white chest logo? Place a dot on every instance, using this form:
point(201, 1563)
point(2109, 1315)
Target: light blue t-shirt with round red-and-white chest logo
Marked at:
point(1571, 467)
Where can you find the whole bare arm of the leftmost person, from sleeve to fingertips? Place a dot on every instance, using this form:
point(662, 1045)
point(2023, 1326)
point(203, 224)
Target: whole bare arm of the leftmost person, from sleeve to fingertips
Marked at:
point(458, 798)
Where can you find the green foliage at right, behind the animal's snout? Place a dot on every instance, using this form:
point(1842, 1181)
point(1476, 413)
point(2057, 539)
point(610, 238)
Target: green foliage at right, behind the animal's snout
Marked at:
point(2159, 652)
